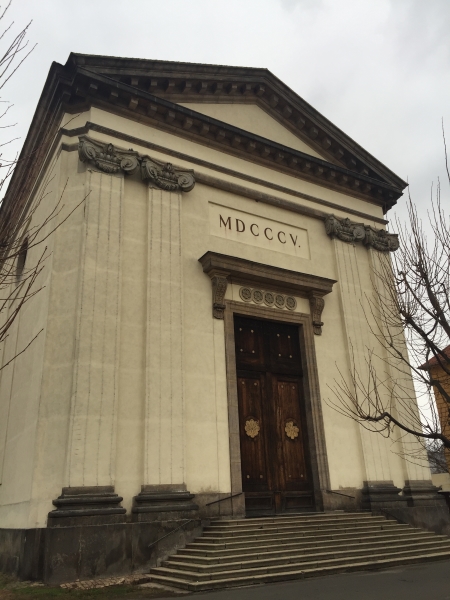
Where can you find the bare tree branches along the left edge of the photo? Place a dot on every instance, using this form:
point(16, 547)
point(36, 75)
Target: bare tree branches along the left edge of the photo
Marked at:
point(22, 229)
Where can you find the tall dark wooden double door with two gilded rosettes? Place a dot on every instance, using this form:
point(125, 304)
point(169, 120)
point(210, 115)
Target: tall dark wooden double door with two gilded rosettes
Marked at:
point(276, 474)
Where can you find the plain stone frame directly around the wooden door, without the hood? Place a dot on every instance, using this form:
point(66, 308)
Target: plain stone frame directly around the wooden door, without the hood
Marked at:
point(313, 407)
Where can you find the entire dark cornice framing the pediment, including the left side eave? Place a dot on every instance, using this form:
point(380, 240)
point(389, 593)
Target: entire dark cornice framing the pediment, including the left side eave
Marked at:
point(142, 90)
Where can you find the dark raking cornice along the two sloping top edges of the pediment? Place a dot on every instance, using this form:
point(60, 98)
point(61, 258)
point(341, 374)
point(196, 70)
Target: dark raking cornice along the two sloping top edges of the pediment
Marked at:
point(188, 82)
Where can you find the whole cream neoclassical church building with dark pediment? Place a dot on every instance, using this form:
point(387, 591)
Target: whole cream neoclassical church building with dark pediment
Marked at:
point(204, 288)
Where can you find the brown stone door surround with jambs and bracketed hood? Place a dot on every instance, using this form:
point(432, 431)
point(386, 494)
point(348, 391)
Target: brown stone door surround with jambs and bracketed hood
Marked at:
point(223, 269)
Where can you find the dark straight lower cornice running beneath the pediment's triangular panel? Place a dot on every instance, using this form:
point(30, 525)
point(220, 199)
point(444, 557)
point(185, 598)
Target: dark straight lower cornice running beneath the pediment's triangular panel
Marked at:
point(140, 105)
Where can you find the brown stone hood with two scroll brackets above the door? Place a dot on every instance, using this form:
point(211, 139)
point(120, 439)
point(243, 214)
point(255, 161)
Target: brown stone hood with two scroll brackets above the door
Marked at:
point(223, 269)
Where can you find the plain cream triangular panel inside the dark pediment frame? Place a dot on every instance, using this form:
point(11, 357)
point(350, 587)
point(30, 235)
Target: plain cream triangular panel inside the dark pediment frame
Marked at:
point(254, 119)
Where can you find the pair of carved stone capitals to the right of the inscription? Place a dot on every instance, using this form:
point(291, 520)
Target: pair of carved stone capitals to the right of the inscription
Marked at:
point(347, 231)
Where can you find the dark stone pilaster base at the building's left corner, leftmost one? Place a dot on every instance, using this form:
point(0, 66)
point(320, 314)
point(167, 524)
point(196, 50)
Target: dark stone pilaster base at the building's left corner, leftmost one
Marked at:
point(86, 505)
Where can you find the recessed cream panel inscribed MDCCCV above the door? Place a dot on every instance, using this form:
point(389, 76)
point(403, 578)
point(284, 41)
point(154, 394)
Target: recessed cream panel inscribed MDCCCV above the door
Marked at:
point(258, 231)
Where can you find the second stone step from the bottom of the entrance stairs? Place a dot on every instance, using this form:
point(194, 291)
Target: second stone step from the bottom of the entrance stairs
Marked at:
point(295, 557)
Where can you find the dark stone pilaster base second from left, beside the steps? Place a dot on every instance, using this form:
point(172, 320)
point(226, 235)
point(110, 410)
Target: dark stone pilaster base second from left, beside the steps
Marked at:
point(164, 503)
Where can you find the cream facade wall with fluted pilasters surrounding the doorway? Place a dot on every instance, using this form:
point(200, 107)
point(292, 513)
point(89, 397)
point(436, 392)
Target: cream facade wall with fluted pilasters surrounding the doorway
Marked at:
point(87, 403)
